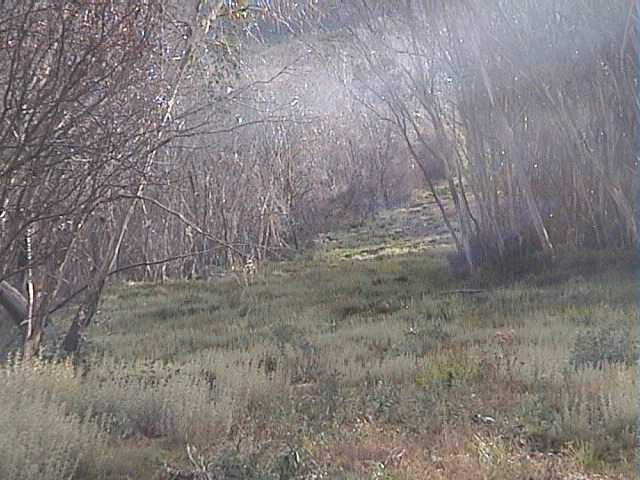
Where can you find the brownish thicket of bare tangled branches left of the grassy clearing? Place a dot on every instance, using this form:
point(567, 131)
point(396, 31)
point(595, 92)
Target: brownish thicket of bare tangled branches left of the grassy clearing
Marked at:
point(161, 136)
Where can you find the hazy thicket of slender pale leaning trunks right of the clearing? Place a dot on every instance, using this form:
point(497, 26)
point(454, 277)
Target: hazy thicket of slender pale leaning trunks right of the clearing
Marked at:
point(528, 104)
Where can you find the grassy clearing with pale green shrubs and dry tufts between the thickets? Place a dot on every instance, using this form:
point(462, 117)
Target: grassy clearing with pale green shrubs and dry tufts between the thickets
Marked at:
point(365, 360)
